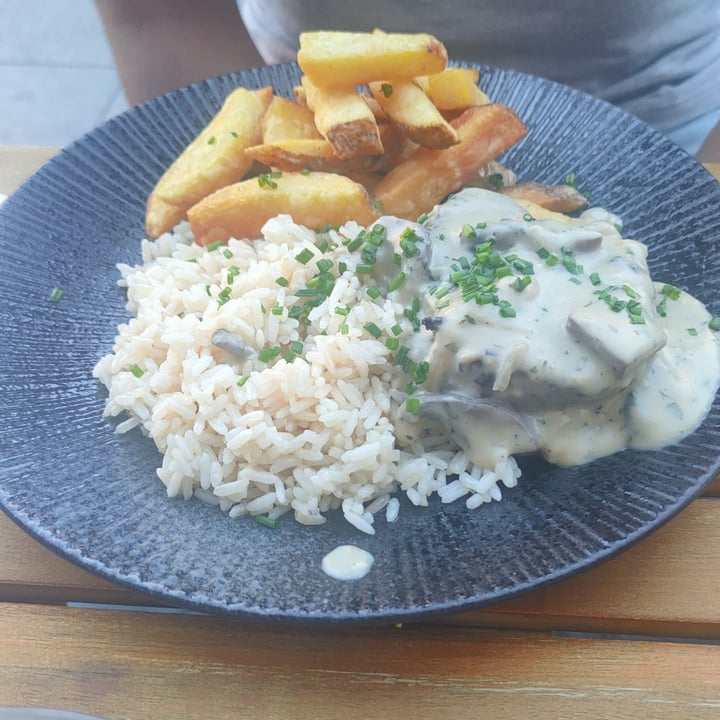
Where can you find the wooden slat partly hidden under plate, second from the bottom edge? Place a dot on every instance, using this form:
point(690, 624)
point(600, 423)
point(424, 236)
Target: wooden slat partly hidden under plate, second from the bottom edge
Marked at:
point(635, 592)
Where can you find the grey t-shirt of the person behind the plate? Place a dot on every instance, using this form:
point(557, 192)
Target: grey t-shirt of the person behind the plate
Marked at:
point(658, 59)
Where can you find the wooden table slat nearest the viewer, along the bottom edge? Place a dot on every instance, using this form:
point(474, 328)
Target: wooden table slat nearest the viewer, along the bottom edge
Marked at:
point(182, 666)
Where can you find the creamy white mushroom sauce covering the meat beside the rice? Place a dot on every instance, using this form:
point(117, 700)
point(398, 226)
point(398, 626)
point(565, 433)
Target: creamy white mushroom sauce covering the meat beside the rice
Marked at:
point(566, 376)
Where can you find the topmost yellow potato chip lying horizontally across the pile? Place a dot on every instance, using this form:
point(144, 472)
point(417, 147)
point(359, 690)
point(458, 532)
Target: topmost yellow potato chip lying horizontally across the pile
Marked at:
point(350, 58)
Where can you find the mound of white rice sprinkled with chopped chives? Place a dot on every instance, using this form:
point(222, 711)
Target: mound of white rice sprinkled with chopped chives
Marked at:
point(308, 435)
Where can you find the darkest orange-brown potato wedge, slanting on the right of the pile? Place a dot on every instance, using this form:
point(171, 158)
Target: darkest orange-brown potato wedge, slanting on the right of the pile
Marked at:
point(428, 176)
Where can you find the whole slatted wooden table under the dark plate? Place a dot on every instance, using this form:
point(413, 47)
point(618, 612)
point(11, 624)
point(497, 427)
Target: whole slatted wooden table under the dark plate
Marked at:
point(634, 637)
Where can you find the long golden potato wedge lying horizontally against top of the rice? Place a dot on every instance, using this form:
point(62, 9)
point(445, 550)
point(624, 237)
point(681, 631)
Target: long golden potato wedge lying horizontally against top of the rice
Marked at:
point(314, 200)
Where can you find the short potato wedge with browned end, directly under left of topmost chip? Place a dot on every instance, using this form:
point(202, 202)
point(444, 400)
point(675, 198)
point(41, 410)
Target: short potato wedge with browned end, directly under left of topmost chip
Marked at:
point(344, 119)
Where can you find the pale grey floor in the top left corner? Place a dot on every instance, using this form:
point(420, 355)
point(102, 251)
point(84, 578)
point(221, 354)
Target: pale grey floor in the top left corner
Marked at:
point(57, 77)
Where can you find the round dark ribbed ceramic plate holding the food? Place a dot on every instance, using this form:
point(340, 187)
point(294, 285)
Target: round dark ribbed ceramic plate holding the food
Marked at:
point(93, 496)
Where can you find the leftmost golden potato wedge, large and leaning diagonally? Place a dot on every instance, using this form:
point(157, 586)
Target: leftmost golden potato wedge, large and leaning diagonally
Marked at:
point(214, 158)
